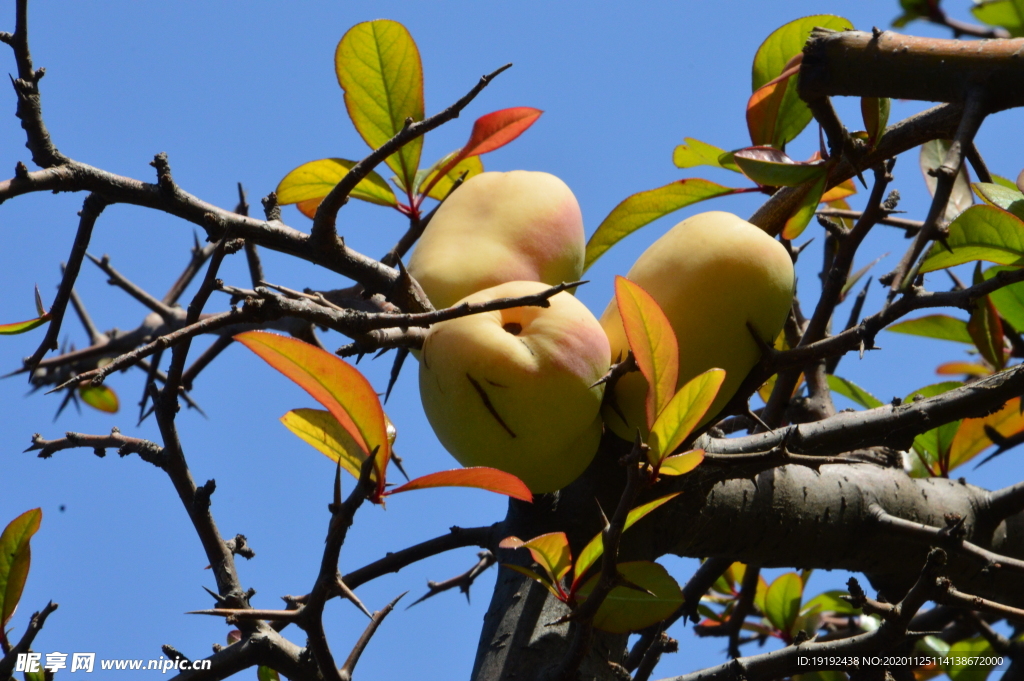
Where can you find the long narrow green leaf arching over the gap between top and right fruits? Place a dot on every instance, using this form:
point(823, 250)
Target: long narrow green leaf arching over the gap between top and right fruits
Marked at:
point(646, 207)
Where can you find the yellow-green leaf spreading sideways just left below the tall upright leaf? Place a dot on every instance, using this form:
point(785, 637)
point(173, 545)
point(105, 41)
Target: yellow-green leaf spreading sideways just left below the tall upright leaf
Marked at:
point(308, 185)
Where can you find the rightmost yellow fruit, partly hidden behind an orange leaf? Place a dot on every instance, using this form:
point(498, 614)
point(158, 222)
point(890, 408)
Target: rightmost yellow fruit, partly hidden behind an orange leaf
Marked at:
point(712, 275)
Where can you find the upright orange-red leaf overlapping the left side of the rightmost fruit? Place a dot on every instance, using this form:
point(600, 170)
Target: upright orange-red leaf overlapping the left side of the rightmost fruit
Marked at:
point(653, 342)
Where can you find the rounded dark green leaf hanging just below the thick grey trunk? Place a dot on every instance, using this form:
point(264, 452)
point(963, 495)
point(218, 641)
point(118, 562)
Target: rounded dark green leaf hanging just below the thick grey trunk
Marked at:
point(627, 609)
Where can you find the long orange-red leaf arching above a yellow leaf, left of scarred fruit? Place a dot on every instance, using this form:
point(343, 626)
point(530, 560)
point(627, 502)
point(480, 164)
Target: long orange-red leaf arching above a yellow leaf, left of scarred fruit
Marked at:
point(335, 385)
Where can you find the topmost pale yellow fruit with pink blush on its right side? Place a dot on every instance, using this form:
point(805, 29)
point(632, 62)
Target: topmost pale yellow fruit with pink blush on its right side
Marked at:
point(499, 228)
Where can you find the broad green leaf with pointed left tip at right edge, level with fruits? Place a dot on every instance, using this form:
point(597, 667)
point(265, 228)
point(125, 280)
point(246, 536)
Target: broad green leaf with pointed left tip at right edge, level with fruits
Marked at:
point(980, 233)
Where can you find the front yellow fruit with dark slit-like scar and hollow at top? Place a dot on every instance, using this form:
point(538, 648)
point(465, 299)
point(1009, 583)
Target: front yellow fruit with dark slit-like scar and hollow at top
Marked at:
point(510, 389)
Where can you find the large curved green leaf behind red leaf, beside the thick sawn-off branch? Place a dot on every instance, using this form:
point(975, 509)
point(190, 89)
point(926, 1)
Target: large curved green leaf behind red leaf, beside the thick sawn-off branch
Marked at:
point(790, 114)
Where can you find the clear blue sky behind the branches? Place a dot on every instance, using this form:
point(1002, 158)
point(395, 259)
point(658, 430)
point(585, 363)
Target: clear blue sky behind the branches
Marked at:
point(245, 93)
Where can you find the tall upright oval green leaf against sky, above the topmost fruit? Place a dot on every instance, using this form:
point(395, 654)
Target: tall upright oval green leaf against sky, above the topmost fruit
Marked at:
point(378, 67)
